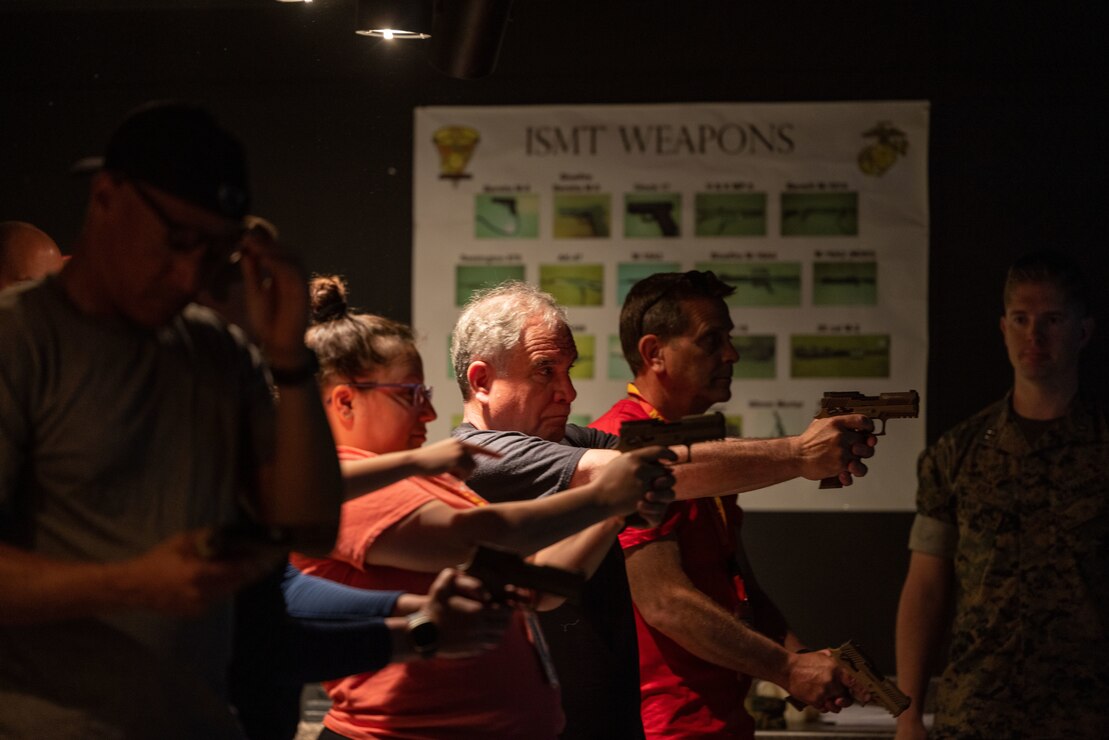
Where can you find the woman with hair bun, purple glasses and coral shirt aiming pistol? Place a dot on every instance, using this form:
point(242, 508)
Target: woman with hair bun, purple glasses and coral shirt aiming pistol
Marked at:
point(399, 538)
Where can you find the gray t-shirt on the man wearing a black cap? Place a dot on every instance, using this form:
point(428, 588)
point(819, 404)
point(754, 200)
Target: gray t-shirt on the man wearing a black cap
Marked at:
point(114, 438)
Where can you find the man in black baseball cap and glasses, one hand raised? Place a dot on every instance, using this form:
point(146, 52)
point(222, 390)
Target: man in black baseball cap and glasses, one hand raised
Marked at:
point(134, 423)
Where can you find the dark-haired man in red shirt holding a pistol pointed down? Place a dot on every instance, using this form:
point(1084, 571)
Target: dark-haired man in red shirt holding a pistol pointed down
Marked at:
point(705, 626)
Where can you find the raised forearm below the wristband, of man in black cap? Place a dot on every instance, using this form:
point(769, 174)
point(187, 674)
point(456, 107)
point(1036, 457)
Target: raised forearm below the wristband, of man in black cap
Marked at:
point(304, 490)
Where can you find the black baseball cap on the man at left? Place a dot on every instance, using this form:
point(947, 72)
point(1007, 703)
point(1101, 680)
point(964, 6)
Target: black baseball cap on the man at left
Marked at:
point(179, 148)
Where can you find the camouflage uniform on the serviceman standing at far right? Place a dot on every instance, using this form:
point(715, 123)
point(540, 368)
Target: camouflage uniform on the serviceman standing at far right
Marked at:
point(1029, 530)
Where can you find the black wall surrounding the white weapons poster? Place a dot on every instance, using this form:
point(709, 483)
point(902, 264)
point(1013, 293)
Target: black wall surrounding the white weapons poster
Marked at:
point(1019, 160)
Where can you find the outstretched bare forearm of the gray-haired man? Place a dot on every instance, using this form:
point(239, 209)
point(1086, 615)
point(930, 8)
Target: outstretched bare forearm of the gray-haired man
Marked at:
point(735, 465)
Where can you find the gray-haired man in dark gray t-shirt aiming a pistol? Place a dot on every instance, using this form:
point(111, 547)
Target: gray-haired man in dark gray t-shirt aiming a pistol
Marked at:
point(513, 351)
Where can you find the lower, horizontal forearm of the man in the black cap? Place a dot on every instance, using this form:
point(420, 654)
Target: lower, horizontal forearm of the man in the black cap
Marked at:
point(38, 590)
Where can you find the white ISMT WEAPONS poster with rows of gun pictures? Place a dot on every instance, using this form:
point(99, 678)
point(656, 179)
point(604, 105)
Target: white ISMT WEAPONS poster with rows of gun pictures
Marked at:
point(818, 214)
